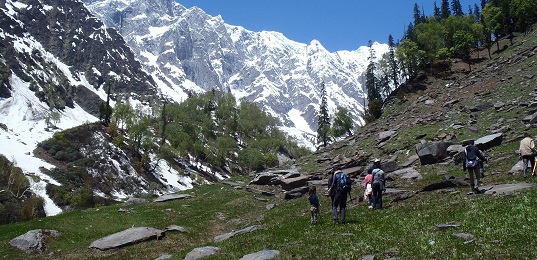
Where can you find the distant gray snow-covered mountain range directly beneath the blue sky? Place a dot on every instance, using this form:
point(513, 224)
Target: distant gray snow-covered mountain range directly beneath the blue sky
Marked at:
point(187, 50)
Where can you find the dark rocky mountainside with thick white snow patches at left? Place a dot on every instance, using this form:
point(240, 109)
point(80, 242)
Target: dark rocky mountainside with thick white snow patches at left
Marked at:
point(56, 58)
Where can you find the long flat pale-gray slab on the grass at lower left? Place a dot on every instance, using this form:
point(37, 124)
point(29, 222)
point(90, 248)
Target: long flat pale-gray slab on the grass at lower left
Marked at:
point(127, 237)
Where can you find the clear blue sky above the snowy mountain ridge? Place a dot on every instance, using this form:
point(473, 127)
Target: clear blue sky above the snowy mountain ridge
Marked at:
point(337, 24)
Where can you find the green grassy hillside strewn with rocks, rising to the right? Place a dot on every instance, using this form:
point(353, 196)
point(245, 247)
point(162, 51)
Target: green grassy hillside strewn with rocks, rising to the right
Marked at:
point(502, 226)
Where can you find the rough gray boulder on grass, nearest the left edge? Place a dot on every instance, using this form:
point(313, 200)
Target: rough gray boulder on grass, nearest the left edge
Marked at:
point(34, 240)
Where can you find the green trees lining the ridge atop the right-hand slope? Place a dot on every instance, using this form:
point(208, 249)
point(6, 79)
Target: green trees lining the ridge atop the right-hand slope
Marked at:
point(430, 42)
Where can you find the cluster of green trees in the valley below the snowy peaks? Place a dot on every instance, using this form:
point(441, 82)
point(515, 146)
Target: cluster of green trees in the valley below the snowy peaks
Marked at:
point(211, 128)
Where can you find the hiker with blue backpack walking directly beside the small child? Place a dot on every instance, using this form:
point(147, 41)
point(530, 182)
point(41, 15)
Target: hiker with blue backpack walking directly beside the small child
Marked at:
point(340, 185)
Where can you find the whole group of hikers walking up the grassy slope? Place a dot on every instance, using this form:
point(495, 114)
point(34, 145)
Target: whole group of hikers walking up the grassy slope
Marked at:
point(339, 183)
